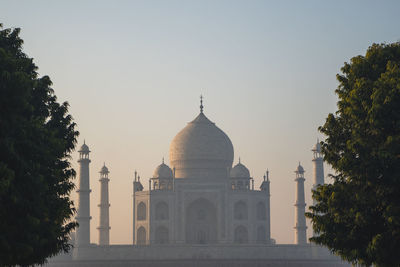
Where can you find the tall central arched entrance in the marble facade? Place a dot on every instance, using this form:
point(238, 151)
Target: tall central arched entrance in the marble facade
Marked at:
point(201, 222)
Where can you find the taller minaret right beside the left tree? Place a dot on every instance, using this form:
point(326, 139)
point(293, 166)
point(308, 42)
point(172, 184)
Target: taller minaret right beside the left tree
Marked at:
point(83, 217)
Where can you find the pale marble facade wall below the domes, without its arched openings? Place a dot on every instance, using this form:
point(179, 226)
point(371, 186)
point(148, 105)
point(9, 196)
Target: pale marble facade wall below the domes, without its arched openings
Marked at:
point(219, 194)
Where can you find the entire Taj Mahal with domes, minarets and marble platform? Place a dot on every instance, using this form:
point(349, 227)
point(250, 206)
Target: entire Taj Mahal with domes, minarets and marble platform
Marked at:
point(200, 209)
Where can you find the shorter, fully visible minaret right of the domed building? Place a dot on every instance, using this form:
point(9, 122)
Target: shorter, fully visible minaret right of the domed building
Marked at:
point(300, 237)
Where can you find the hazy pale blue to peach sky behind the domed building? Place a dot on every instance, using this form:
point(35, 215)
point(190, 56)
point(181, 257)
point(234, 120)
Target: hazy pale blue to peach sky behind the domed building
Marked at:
point(133, 72)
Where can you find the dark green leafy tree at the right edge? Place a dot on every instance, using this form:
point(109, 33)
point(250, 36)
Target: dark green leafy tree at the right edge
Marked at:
point(358, 216)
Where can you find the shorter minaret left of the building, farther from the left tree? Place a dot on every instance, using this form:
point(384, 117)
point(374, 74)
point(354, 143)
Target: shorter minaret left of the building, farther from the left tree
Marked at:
point(104, 226)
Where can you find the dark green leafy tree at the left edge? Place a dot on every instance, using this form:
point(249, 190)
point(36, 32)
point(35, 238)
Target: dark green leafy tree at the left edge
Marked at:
point(37, 136)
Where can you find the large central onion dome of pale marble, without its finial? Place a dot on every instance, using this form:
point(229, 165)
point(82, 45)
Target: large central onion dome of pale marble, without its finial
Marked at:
point(201, 150)
